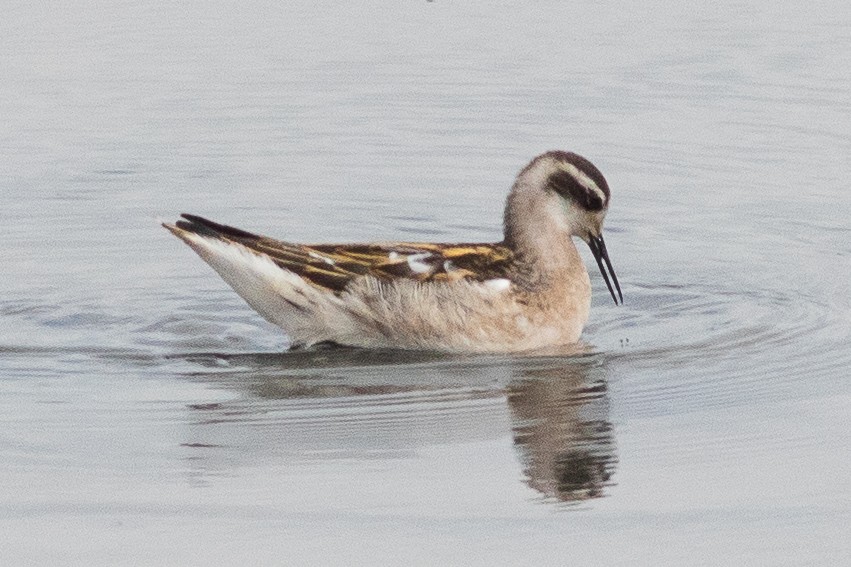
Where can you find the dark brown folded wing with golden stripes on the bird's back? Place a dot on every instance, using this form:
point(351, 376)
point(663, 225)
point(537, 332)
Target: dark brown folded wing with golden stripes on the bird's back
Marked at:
point(333, 266)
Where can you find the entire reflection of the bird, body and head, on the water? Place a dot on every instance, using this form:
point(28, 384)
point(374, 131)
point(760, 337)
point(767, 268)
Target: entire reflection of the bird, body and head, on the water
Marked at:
point(321, 405)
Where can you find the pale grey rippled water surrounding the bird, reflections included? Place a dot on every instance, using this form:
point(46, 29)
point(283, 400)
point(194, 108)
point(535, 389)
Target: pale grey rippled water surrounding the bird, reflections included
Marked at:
point(148, 416)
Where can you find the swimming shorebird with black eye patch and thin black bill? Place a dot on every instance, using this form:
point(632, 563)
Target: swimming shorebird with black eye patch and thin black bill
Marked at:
point(528, 292)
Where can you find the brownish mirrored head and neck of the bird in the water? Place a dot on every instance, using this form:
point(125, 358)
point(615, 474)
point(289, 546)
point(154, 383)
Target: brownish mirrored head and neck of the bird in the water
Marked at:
point(562, 432)
